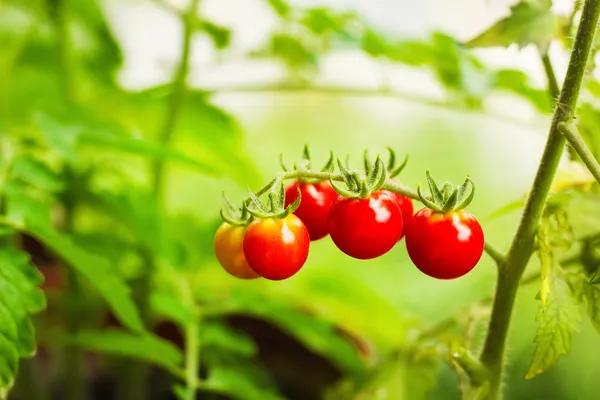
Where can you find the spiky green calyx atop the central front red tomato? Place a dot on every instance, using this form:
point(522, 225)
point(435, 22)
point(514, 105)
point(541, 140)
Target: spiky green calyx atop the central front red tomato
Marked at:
point(361, 185)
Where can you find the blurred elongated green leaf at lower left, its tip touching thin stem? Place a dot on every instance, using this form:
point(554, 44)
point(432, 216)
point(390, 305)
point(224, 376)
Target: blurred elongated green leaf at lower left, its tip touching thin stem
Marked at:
point(145, 347)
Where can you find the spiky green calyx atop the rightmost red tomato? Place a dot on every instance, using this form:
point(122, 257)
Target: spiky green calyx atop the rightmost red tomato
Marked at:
point(450, 197)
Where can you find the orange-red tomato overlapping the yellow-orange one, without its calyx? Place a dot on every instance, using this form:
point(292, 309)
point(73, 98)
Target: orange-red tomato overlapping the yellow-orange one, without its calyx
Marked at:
point(276, 248)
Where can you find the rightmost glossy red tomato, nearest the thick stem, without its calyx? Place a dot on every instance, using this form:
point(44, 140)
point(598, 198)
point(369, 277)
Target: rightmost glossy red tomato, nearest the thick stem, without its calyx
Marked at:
point(444, 245)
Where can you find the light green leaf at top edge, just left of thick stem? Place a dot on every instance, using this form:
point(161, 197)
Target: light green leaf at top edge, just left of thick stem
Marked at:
point(529, 22)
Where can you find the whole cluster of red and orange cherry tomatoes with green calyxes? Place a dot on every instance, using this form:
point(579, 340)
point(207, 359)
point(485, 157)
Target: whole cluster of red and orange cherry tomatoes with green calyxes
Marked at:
point(364, 221)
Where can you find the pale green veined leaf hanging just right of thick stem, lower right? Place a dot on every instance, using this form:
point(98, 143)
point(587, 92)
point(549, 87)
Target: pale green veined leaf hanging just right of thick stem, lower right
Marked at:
point(557, 320)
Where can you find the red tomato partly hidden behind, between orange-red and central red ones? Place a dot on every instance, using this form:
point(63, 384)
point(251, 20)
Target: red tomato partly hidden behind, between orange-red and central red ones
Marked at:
point(314, 206)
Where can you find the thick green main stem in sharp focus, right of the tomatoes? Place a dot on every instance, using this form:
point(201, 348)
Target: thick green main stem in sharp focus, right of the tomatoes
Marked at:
point(492, 355)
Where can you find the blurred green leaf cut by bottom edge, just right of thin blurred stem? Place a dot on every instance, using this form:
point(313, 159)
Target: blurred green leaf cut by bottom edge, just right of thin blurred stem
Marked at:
point(236, 385)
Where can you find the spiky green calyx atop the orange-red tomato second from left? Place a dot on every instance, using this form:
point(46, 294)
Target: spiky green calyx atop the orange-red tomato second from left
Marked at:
point(275, 206)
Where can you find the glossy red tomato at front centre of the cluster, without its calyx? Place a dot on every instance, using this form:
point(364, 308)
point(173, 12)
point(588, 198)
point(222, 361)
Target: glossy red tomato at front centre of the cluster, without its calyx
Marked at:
point(365, 228)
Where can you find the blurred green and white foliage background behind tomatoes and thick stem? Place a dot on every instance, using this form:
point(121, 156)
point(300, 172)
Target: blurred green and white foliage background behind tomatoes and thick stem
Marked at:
point(86, 92)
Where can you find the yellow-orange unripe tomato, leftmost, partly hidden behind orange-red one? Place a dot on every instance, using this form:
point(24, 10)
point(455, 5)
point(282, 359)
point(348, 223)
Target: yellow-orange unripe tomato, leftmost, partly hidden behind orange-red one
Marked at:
point(228, 247)
